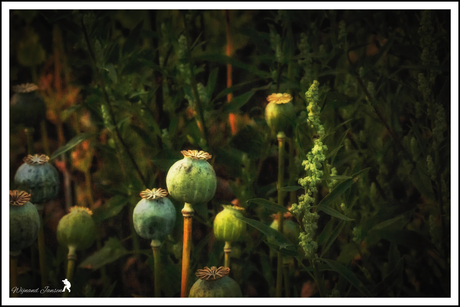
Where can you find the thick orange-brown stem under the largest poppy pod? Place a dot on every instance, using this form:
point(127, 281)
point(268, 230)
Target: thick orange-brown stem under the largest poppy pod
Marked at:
point(187, 213)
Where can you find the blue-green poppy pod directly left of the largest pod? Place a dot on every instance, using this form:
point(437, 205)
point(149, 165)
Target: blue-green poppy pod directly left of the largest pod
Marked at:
point(154, 216)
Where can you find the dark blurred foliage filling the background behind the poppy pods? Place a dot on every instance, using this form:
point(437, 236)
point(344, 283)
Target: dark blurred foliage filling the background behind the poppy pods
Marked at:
point(126, 91)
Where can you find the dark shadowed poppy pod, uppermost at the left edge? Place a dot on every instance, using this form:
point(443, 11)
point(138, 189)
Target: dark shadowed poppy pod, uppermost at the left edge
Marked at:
point(26, 106)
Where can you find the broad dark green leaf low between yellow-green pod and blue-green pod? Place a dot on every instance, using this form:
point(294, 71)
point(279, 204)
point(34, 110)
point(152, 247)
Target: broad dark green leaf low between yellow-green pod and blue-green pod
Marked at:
point(112, 250)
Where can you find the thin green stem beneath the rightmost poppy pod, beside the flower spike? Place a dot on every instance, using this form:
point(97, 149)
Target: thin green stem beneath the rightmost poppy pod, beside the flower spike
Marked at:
point(279, 273)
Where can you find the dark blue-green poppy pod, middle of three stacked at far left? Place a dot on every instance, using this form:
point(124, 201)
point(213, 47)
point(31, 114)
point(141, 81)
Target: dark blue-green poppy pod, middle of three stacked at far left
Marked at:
point(37, 177)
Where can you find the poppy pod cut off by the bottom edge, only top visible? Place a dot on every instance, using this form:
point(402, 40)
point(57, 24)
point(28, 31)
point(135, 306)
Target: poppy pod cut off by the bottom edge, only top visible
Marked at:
point(214, 282)
